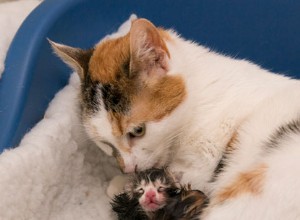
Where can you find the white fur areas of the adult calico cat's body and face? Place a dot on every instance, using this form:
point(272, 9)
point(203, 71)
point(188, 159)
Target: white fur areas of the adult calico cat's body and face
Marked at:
point(224, 96)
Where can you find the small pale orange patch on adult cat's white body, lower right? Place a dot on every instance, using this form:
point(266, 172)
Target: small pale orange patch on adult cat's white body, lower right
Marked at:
point(248, 182)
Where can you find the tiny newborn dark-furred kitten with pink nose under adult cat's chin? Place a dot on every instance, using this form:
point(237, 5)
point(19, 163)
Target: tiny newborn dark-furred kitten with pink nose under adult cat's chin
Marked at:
point(154, 194)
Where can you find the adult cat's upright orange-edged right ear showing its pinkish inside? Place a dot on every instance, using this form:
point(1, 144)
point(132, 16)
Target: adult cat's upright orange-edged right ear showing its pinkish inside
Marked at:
point(148, 50)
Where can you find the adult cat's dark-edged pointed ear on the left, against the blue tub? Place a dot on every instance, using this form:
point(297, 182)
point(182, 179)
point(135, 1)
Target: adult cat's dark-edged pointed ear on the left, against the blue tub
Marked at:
point(76, 58)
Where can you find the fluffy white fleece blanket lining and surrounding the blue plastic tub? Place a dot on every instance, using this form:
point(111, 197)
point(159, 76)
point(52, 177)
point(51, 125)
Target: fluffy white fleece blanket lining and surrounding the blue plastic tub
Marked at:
point(56, 172)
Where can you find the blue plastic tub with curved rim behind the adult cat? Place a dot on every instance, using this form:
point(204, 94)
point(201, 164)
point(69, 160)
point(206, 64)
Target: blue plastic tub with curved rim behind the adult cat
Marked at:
point(266, 32)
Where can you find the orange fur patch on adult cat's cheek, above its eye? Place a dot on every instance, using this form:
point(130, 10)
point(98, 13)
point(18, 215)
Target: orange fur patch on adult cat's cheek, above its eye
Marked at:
point(154, 102)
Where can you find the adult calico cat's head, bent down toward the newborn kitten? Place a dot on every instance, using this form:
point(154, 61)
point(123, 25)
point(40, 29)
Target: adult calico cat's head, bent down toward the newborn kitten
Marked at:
point(128, 95)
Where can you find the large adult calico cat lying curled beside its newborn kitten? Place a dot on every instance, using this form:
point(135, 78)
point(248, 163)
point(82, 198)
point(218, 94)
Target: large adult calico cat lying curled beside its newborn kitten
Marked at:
point(151, 98)
